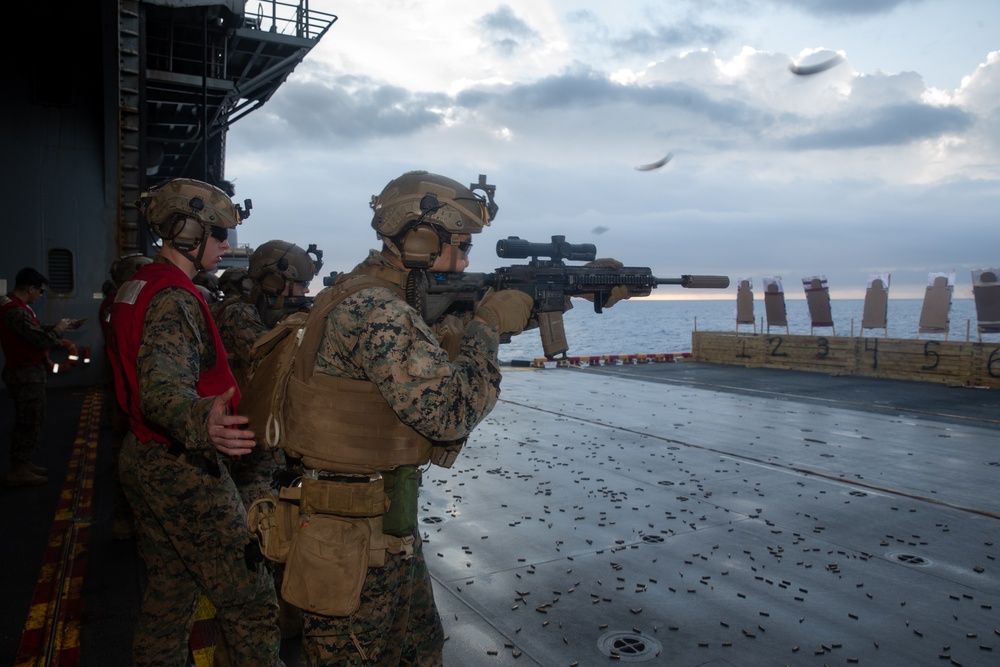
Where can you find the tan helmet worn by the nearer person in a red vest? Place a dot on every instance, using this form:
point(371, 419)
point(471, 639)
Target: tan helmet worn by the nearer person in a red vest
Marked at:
point(183, 212)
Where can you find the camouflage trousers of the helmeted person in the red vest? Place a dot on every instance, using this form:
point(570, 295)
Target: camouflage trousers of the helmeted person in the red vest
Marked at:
point(191, 538)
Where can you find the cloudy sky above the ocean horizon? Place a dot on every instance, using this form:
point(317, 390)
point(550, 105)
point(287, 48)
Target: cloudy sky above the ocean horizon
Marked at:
point(885, 163)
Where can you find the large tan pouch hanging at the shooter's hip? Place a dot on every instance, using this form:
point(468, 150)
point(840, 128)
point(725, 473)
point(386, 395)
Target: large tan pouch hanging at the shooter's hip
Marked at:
point(326, 565)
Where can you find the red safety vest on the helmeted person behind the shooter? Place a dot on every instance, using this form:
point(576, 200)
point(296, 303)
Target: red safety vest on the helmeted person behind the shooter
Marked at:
point(127, 316)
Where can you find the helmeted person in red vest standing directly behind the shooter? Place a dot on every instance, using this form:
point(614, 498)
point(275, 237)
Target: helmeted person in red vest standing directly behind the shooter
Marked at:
point(173, 381)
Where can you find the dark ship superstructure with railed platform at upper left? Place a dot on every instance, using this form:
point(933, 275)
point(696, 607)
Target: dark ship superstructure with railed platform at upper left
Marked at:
point(118, 96)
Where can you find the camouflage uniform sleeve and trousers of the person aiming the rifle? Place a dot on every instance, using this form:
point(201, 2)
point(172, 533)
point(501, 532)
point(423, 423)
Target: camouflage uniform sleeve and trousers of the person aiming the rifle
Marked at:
point(375, 335)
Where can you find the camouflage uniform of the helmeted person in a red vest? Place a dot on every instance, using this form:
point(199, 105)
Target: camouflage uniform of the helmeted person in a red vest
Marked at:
point(190, 519)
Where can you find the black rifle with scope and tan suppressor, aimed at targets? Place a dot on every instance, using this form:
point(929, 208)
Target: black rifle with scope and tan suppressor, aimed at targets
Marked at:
point(550, 282)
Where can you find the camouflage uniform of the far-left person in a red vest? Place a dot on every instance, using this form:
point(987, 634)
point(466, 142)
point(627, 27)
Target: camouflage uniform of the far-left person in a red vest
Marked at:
point(26, 384)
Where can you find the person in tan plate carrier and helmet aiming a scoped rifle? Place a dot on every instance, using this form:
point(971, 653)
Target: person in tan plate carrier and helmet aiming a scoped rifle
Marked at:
point(392, 369)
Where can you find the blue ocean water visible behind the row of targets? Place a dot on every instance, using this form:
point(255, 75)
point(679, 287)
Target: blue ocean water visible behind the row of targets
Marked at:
point(660, 326)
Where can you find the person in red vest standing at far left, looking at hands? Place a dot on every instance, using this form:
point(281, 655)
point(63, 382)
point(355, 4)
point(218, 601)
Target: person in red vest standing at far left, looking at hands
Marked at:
point(25, 346)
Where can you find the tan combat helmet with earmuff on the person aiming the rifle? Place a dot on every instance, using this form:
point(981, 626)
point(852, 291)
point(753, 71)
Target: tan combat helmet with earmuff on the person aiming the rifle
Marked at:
point(418, 213)
